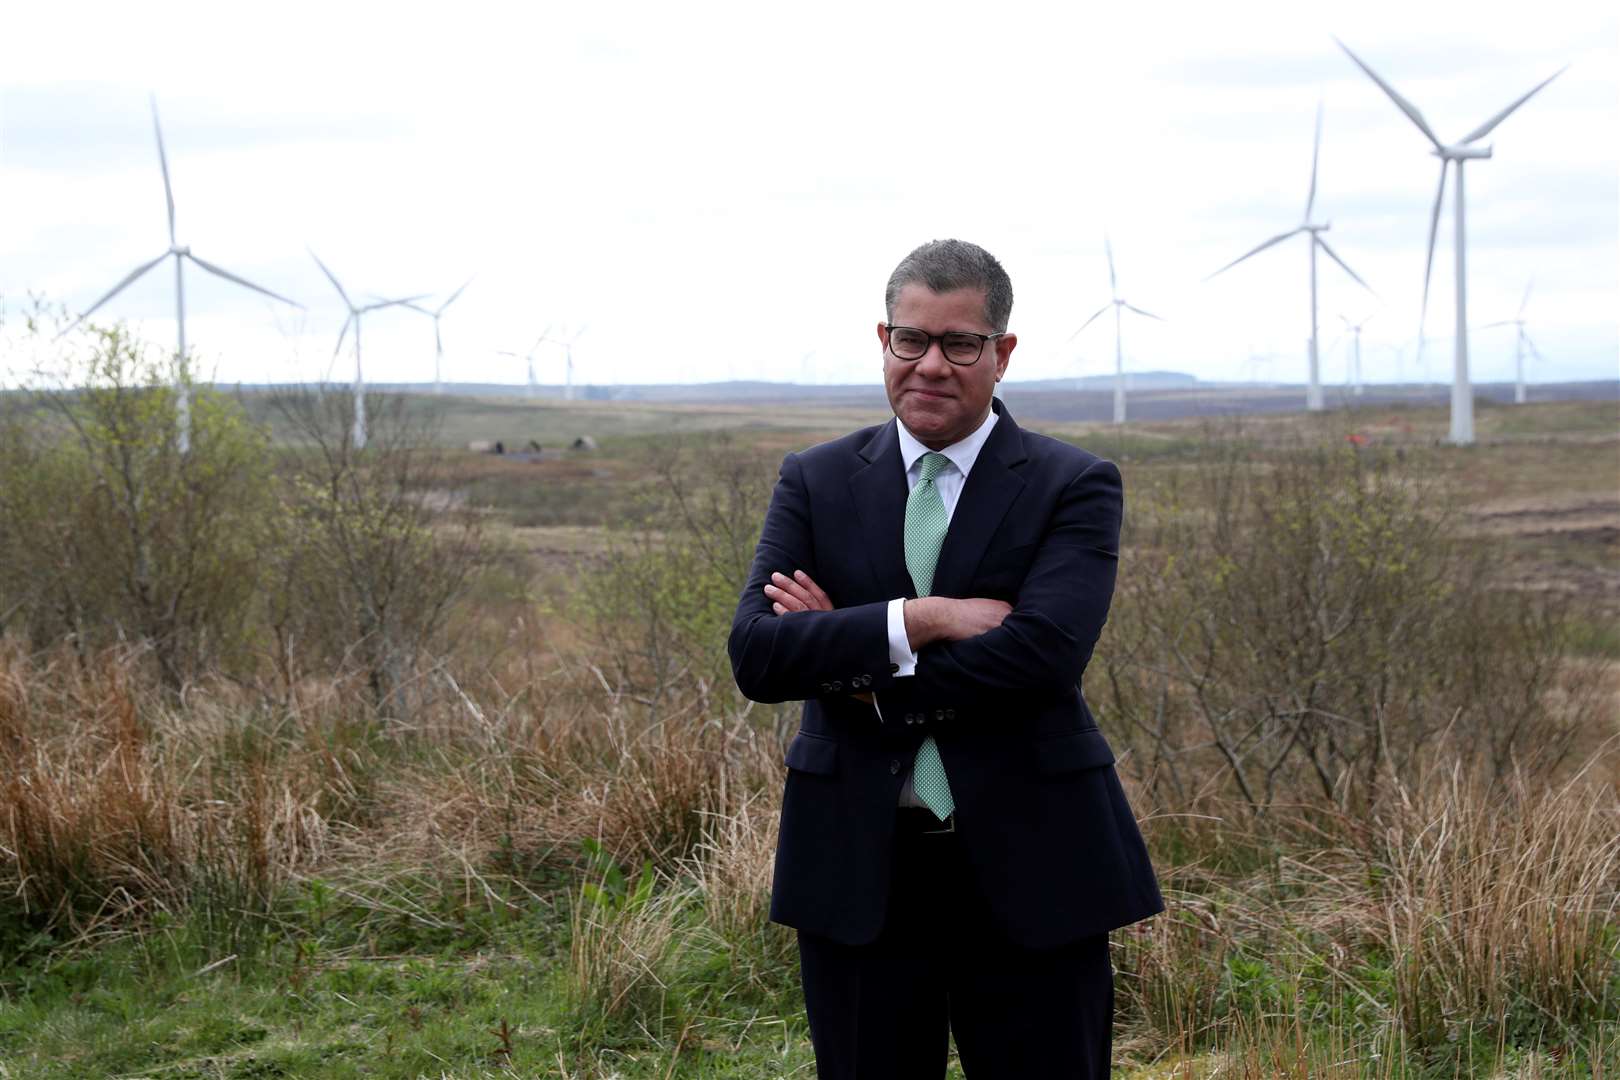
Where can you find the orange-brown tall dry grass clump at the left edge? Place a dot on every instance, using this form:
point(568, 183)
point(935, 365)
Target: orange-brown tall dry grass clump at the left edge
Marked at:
point(104, 817)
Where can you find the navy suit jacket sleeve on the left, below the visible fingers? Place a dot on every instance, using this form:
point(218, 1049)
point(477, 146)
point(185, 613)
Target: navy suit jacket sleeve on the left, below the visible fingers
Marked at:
point(804, 655)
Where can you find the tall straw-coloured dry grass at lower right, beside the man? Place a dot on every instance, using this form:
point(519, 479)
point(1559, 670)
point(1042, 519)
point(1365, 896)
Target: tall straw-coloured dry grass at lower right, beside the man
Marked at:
point(1469, 908)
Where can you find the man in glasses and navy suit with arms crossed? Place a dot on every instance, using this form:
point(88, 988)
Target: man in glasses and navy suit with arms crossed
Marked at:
point(955, 844)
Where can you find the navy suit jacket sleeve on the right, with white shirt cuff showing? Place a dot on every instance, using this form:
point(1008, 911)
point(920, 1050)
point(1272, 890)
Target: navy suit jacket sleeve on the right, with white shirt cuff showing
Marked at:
point(1062, 606)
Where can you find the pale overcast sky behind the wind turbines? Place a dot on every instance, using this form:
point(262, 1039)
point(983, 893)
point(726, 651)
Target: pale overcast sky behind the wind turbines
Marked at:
point(720, 190)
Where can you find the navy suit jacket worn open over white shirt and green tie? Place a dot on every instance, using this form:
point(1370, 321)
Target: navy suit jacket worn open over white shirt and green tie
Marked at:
point(1042, 819)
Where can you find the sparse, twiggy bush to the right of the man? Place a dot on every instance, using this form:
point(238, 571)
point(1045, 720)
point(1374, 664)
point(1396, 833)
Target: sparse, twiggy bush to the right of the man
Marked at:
point(1307, 624)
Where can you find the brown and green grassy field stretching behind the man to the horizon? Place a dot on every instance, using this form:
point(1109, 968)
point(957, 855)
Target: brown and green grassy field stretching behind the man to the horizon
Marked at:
point(548, 854)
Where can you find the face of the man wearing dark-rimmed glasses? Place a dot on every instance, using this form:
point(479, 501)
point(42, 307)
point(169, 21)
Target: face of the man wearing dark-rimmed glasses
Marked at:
point(937, 401)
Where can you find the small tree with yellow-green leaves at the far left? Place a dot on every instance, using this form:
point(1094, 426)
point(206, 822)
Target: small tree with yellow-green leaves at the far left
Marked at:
point(111, 534)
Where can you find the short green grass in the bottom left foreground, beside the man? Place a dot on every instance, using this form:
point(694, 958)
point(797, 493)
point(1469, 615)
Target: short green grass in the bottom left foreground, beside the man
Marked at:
point(335, 992)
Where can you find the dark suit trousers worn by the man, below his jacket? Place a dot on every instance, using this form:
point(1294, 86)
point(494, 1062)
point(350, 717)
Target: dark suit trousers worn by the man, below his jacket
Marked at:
point(887, 1011)
